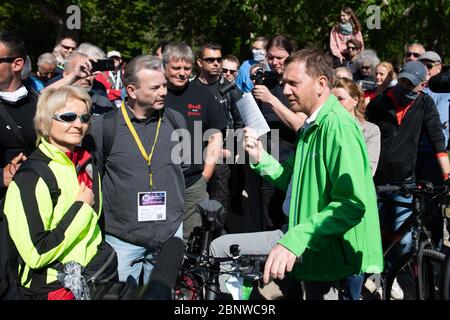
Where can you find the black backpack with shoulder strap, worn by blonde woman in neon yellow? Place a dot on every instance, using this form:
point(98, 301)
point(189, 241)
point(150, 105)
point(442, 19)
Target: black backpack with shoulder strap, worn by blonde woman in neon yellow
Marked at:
point(9, 257)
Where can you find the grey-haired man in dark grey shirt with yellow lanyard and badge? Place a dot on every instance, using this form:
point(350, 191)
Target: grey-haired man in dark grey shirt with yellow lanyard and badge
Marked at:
point(143, 187)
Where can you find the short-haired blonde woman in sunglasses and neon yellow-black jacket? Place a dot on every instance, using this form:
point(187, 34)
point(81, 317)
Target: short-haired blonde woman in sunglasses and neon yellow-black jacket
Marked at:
point(55, 232)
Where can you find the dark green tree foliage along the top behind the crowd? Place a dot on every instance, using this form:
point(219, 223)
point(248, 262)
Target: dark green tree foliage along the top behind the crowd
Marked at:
point(136, 26)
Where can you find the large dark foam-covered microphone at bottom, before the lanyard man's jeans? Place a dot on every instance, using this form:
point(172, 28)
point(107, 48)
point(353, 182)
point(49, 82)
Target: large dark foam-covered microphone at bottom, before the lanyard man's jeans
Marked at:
point(165, 272)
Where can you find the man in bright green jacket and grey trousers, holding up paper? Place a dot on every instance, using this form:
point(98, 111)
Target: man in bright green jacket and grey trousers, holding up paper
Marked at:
point(331, 199)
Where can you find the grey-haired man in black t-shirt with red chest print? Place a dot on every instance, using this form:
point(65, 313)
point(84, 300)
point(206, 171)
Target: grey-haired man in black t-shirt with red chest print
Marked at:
point(202, 112)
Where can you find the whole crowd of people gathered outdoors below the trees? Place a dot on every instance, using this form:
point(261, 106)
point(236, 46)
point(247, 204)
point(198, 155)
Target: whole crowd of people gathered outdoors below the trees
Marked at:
point(100, 168)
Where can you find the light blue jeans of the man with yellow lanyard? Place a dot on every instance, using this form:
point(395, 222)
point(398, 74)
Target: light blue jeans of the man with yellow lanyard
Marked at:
point(127, 253)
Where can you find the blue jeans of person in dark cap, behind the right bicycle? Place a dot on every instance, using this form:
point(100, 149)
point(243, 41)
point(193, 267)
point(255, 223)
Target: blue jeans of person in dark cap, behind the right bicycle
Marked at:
point(391, 218)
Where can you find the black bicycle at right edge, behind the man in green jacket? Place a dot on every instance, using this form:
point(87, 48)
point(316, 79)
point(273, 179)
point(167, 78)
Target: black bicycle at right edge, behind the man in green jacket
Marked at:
point(415, 270)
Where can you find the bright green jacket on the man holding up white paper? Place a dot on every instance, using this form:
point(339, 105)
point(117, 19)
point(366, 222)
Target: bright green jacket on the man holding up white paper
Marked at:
point(333, 217)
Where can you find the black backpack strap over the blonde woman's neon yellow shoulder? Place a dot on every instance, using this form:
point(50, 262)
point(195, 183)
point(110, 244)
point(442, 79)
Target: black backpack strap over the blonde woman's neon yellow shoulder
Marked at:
point(38, 162)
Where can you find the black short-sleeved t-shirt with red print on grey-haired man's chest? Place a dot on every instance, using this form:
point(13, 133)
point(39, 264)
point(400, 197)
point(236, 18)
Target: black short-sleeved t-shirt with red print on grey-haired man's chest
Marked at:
point(202, 111)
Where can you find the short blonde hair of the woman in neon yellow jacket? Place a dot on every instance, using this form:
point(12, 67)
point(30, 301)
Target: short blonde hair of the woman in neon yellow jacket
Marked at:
point(52, 100)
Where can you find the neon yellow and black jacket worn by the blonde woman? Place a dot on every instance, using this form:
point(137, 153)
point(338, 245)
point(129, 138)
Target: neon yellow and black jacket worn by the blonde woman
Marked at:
point(45, 236)
